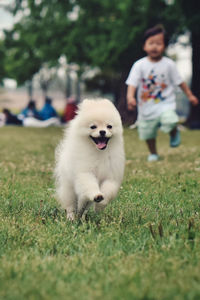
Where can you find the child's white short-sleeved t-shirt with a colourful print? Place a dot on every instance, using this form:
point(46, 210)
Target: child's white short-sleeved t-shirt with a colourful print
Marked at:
point(155, 83)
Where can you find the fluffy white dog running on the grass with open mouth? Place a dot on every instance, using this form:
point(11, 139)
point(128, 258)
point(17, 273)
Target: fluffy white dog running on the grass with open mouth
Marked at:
point(90, 159)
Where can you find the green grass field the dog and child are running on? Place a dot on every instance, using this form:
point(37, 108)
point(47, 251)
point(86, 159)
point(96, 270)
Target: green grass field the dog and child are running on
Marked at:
point(145, 245)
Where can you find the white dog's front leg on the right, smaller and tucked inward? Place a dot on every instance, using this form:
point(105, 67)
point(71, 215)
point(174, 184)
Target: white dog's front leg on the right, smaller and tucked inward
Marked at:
point(109, 189)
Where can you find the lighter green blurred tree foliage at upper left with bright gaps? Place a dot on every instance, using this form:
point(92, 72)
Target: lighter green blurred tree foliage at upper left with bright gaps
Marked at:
point(34, 41)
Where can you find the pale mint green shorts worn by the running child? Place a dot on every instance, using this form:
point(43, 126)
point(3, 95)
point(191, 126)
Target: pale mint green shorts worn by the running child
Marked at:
point(147, 129)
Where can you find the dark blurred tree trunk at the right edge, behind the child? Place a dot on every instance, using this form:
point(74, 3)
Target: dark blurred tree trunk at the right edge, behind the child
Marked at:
point(190, 10)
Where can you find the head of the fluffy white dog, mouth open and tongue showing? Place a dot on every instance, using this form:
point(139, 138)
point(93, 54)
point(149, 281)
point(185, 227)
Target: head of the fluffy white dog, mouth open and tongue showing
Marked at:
point(99, 121)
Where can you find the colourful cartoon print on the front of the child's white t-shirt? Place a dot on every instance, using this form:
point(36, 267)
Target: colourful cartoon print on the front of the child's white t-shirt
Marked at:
point(152, 87)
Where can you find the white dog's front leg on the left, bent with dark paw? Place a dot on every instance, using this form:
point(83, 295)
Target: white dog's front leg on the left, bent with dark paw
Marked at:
point(87, 189)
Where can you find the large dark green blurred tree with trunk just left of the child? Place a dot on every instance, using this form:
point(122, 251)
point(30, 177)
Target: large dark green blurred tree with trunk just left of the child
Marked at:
point(108, 34)
